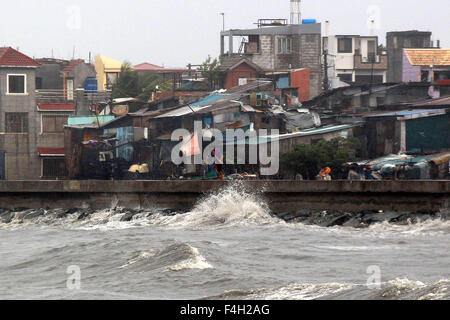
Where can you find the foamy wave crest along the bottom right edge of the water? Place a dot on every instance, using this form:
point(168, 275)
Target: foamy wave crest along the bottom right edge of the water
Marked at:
point(398, 289)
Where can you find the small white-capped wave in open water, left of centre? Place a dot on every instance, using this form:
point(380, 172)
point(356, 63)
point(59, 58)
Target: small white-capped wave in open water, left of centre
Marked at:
point(175, 257)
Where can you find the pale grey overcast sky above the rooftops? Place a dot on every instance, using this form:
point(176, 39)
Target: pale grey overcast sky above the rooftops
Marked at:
point(176, 32)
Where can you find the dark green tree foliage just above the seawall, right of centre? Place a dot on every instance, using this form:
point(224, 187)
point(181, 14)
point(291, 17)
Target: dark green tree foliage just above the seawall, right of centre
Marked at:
point(308, 160)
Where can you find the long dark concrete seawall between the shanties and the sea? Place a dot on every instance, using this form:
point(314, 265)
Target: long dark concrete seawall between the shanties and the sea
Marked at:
point(281, 195)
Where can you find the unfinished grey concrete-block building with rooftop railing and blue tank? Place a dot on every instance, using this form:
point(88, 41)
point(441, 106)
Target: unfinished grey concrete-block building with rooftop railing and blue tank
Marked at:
point(276, 46)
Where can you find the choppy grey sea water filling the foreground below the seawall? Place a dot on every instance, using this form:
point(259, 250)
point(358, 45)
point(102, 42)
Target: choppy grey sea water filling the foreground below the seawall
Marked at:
point(229, 246)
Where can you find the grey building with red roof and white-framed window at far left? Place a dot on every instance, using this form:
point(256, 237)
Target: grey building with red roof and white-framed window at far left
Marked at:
point(19, 120)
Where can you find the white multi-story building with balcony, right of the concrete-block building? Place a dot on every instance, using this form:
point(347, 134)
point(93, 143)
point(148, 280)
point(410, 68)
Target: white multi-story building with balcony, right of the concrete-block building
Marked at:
point(354, 59)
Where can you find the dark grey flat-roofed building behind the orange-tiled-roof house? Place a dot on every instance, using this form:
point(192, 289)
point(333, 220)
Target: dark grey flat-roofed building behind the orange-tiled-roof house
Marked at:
point(396, 42)
